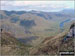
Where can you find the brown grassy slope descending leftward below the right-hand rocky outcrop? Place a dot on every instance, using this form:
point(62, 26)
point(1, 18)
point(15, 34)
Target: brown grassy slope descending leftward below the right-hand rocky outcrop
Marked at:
point(52, 45)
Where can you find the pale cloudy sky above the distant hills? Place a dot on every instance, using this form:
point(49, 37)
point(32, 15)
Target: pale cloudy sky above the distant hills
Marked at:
point(37, 5)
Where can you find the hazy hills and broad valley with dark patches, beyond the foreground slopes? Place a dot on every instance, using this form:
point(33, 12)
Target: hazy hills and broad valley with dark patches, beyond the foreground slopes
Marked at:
point(38, 24)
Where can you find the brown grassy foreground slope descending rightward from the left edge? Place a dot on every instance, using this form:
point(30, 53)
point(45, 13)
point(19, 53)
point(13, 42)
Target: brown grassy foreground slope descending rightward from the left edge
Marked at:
point(11, 46)
